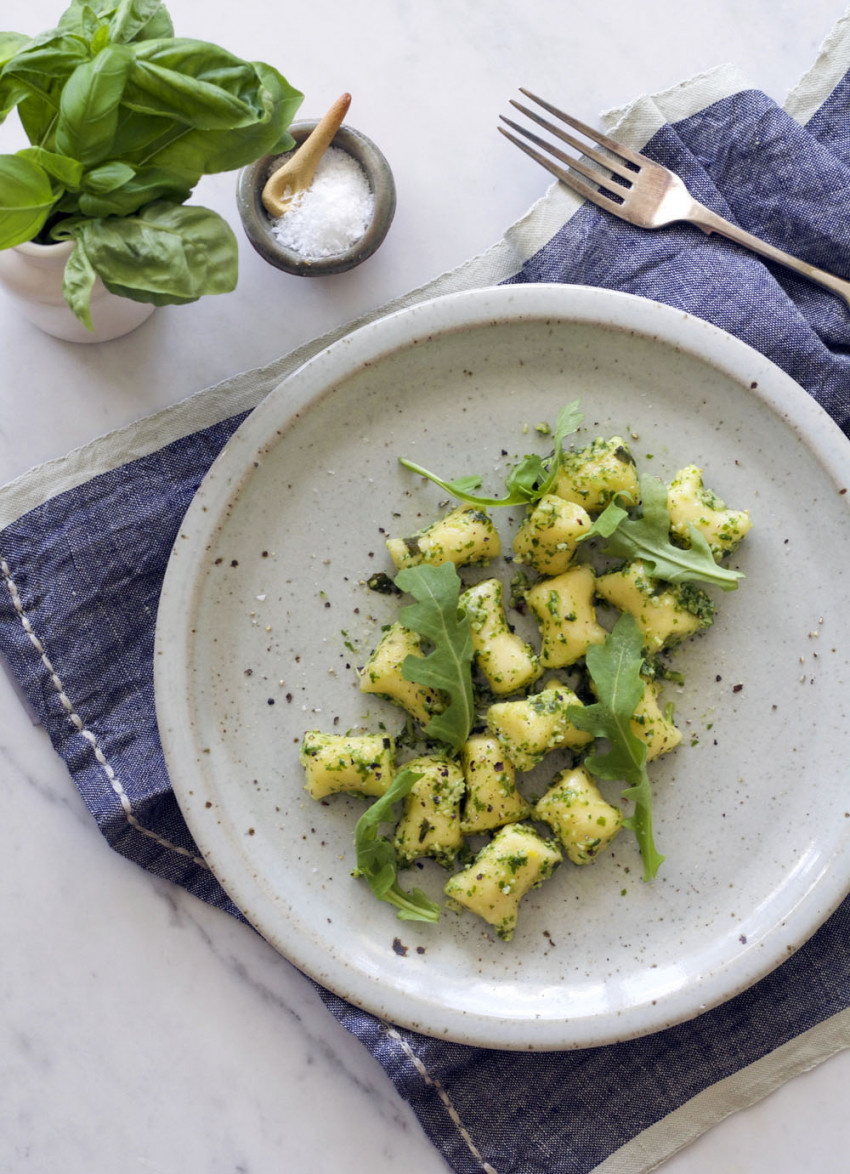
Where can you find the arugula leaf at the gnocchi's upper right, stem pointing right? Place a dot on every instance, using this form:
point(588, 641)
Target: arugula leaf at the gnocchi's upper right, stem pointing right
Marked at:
point(649, 538)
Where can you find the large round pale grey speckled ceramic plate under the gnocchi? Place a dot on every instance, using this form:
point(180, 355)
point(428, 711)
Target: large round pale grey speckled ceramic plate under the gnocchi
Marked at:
point(266, 617)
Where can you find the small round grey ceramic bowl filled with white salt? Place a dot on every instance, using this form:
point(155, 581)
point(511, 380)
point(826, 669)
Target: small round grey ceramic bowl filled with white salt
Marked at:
point(338, 222)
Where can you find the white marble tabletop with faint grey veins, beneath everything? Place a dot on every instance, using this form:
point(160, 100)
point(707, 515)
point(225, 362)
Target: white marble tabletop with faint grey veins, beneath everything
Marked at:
point(139, 1029)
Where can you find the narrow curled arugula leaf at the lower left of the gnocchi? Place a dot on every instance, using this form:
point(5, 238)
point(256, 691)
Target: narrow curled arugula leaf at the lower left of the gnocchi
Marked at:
point(376, 856)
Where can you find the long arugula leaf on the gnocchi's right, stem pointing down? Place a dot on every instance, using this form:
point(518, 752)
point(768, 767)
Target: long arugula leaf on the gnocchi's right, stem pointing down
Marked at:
point(616, 672)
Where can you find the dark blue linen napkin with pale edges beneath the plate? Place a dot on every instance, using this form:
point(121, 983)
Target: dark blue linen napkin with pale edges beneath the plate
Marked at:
point(85, 543)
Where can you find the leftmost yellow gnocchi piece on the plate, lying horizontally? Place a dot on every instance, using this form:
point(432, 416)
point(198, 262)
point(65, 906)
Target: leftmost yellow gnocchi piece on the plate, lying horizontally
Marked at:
point(362, 765)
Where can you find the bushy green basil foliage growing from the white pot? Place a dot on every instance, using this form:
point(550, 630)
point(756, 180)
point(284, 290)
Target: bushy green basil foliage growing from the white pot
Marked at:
point(124, 119)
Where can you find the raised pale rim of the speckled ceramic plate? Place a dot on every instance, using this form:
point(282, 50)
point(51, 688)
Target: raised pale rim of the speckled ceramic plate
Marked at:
point(383, 336)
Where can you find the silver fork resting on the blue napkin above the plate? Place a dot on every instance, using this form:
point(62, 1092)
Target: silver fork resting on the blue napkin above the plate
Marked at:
point(639, 191)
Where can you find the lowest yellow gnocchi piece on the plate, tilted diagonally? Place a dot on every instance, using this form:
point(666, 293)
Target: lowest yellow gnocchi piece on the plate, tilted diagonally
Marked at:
point(516, 861)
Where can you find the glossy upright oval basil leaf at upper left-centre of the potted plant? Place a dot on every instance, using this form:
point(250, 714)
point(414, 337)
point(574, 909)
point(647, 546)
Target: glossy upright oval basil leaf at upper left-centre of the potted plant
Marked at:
point(89, 113)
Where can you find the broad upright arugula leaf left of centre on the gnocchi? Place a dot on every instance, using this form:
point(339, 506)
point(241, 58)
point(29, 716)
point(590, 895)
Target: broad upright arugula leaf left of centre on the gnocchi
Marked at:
point(440, 618)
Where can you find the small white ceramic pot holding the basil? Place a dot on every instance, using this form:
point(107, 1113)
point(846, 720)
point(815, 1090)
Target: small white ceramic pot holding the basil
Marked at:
point(32, 274)
